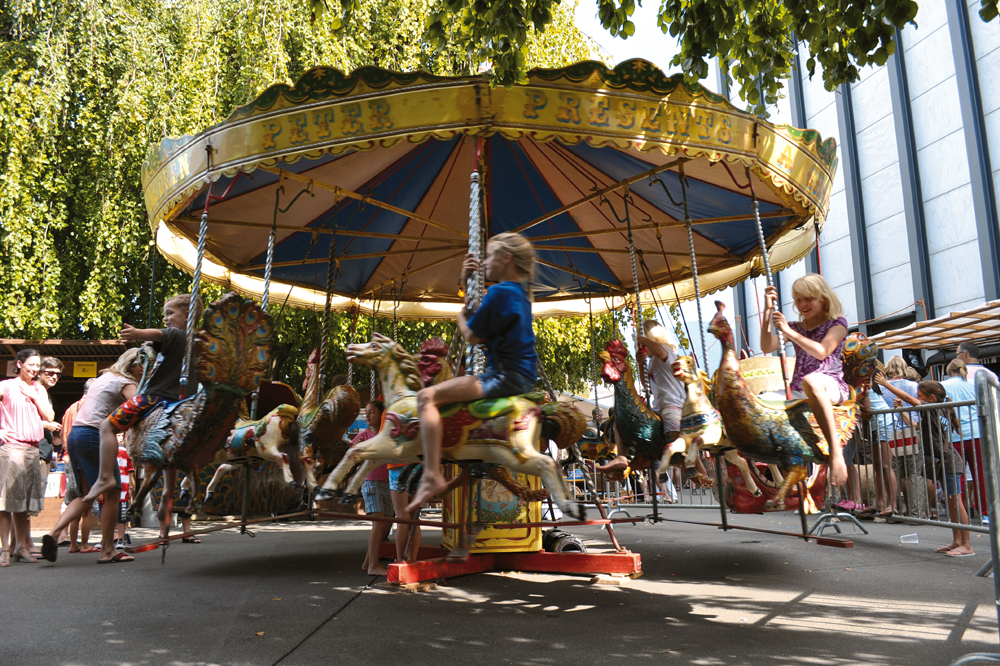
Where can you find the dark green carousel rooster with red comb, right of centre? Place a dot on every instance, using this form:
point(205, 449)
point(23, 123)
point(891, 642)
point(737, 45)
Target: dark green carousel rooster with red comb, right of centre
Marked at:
point(639, 430)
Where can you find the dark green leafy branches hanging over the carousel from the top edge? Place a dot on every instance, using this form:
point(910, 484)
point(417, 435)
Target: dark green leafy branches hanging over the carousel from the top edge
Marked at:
point(759, 36)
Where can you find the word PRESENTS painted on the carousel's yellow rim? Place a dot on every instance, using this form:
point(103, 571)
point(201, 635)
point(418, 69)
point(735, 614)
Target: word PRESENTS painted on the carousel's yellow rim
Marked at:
point(650, 118)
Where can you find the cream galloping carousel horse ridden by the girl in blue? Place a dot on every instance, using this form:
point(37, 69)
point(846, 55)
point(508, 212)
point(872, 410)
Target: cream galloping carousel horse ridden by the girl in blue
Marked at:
point(503, 431)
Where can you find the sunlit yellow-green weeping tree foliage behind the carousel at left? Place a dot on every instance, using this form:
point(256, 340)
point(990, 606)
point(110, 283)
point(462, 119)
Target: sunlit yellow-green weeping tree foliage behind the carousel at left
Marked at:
point(87, 87)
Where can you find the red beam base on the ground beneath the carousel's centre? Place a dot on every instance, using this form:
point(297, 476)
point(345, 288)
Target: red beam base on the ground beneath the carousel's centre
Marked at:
point(438, 566)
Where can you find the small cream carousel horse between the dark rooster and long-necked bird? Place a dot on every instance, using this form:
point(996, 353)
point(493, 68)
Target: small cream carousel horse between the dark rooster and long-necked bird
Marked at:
point(702, 430)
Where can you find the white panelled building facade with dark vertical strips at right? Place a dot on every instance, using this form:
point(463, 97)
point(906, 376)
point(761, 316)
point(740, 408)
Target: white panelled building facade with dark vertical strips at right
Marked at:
point(913, 230)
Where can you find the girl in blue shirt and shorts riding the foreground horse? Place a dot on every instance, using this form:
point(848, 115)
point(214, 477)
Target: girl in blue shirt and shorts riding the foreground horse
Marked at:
point(503, 322)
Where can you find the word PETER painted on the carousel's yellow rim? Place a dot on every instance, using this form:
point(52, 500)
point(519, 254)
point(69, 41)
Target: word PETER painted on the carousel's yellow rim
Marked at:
point(302, 128)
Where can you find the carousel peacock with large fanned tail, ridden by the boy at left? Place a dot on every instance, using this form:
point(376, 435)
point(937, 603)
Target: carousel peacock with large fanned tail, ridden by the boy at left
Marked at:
point(230, 354)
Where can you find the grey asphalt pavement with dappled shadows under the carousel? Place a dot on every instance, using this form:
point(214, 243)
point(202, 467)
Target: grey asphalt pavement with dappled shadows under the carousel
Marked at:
point(294, 594)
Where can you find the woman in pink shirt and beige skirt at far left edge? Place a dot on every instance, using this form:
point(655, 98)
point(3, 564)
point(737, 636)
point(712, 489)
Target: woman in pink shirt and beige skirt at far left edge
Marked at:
point(23, 408)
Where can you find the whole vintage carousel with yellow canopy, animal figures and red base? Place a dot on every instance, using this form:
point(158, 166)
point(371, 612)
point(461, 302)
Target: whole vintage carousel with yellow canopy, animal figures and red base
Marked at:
point(363, 193)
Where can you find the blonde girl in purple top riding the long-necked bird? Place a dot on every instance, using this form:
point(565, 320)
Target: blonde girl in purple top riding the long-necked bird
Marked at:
point(818, 338)
